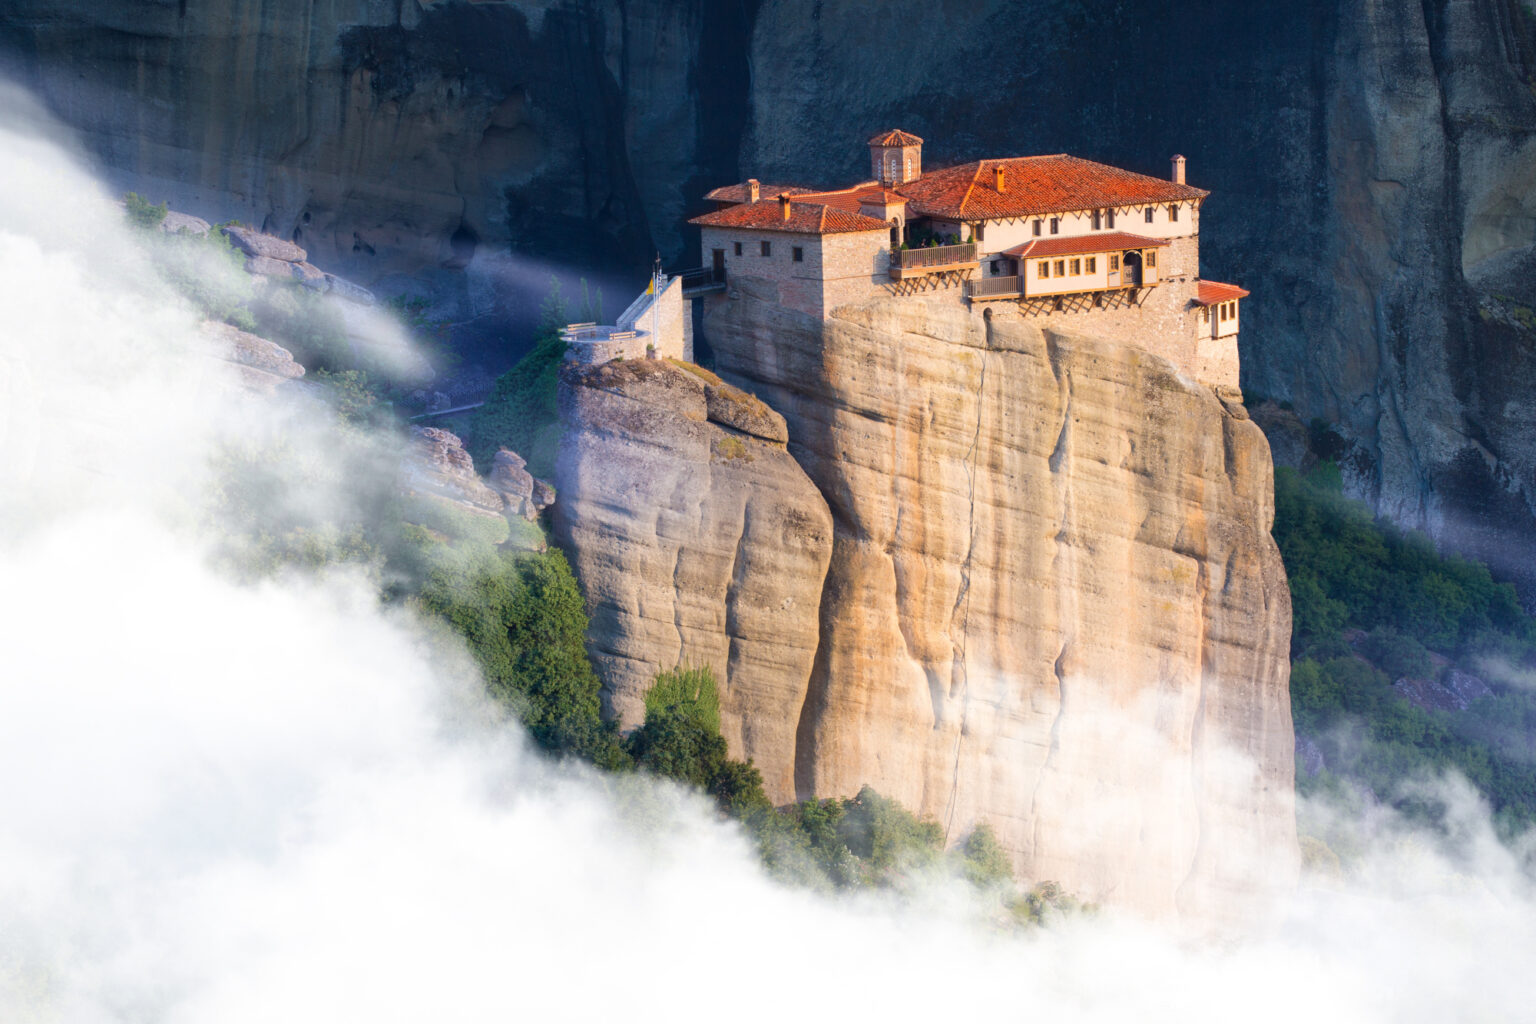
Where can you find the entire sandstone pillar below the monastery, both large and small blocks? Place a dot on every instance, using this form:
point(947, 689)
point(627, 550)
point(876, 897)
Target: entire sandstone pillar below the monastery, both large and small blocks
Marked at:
point(1051, 601)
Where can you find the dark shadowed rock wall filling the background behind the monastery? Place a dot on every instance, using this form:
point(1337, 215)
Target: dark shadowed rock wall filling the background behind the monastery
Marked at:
point(1372, 165)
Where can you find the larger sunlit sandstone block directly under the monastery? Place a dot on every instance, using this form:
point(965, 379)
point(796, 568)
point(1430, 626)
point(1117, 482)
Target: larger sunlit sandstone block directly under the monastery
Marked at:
point(1053, 600)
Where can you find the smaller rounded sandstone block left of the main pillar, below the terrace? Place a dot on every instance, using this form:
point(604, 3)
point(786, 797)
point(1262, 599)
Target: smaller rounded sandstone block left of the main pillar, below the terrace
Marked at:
point(698, 541)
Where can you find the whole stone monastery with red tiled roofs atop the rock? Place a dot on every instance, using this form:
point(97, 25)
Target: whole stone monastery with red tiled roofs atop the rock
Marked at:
point(1059, 239)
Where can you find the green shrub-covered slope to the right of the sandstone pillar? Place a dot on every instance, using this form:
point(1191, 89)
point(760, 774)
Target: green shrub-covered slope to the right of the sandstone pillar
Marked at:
point(1352, 572)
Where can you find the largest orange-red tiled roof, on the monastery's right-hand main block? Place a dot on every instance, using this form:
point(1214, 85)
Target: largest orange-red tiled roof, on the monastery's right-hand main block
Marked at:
point(1038, 185)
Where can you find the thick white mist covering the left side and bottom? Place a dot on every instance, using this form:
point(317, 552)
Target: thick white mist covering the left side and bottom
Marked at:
point(288, 802)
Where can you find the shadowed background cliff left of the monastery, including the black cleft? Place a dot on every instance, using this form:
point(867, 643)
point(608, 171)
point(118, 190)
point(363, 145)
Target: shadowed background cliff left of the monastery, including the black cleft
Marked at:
point(474, 145)
